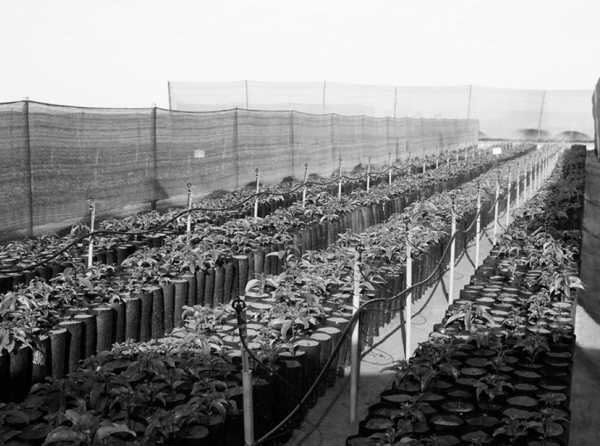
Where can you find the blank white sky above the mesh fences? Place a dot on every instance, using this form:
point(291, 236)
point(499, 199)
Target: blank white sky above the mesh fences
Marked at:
point(122, 52)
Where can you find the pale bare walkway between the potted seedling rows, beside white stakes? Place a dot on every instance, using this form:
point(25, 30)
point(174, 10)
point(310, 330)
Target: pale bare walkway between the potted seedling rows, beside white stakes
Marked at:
point(328, 424)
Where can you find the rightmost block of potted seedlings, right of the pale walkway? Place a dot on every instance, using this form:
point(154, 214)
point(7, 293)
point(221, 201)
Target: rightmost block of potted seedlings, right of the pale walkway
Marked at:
point(497, 369)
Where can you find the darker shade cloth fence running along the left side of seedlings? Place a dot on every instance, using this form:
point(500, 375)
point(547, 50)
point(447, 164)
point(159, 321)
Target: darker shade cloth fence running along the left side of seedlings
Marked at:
point(55, 158)
